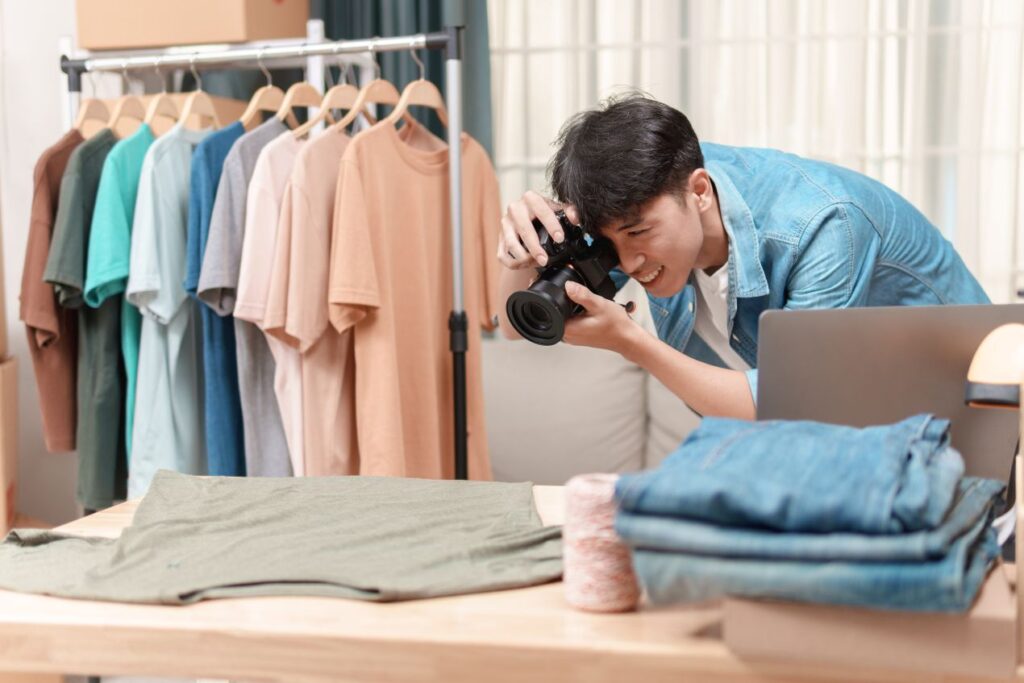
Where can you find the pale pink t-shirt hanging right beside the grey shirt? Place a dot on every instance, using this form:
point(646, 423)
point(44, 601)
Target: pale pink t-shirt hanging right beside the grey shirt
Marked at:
point(263, 209)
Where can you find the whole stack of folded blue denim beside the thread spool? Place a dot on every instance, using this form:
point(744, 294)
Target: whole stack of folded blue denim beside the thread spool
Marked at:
point(877, 518)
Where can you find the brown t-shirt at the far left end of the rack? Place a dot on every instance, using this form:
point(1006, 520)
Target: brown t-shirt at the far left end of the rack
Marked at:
point(53, 331)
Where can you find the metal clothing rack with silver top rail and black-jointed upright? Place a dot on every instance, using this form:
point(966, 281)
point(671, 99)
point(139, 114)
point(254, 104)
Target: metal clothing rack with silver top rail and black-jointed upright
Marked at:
point(449, 40)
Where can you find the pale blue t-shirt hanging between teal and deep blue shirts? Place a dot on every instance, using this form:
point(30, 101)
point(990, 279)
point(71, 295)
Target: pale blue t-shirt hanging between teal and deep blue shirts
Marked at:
point(168, 433)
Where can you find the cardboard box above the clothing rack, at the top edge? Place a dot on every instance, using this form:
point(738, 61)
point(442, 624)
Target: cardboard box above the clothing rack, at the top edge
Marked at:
point(111, 25)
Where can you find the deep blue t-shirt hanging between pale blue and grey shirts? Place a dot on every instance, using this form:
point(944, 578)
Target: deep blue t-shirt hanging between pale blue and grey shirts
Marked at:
point(225, 440)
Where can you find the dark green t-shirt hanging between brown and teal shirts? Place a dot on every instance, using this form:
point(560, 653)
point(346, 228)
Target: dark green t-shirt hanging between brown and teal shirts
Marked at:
point(100, 436)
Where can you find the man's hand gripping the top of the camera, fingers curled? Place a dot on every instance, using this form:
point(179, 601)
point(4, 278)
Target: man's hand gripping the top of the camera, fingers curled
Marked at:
point(519, 247)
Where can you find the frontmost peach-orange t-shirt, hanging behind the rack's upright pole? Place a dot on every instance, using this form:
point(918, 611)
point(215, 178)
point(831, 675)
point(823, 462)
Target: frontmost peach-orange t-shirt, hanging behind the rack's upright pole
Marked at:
point(392, 284)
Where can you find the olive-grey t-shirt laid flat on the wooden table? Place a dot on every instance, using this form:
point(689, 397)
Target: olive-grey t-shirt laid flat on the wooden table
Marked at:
point(381, 539)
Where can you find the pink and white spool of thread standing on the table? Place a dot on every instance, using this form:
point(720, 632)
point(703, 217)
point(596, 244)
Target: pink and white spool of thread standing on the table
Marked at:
point(598, 568)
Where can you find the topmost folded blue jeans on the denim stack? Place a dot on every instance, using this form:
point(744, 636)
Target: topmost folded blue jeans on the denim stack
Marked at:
point(804, 477)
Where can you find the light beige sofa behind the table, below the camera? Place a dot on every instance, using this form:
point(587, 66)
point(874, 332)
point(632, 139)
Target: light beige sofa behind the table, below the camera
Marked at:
point(554, 412)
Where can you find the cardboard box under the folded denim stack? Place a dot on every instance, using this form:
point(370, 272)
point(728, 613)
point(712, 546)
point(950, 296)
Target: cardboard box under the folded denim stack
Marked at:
point(980, 644)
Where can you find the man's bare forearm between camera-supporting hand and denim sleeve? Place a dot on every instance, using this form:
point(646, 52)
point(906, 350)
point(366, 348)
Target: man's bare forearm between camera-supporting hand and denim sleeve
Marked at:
point(707, 390)
